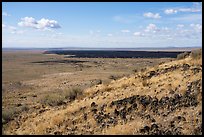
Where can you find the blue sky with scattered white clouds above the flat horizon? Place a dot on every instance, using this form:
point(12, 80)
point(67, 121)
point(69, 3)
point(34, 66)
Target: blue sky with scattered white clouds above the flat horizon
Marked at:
point(101, 24)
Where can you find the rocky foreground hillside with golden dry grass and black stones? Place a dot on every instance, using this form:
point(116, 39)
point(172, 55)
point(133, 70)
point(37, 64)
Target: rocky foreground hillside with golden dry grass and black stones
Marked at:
point(165, 99)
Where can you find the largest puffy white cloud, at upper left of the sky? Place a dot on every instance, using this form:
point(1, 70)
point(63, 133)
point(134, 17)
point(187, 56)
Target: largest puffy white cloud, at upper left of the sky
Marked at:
point(42, 24)
